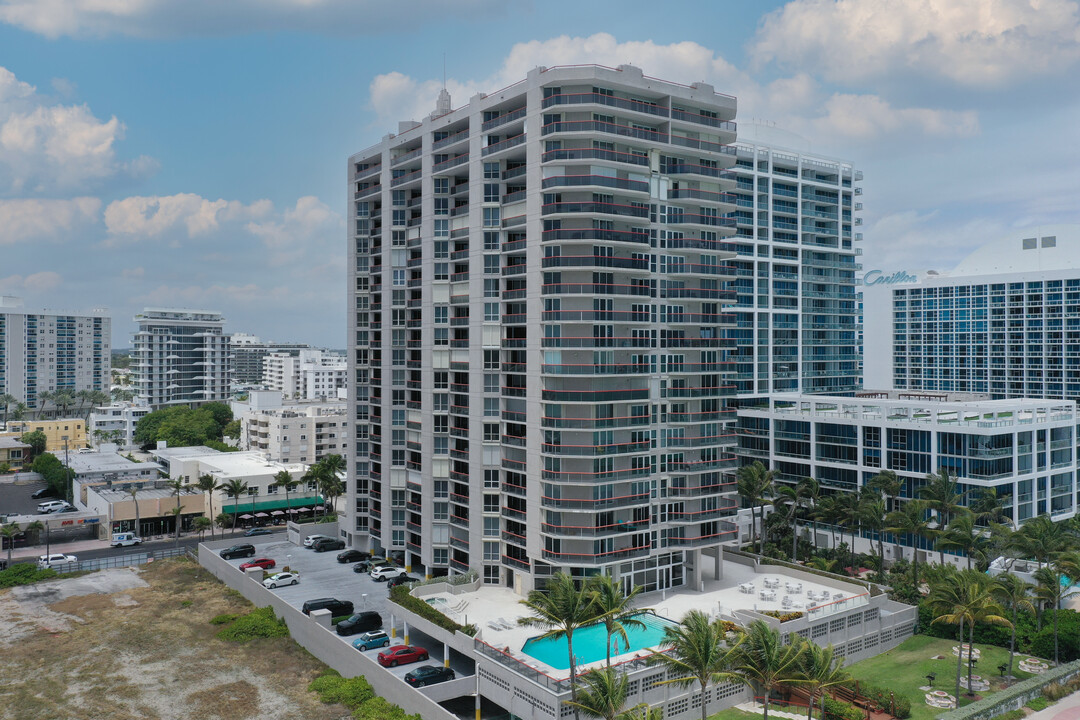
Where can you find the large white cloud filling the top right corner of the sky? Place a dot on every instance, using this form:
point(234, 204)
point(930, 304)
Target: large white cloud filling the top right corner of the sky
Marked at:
point(981, 44)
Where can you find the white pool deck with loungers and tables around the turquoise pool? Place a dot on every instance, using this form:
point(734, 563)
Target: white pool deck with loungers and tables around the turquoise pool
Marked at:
point(496, 610)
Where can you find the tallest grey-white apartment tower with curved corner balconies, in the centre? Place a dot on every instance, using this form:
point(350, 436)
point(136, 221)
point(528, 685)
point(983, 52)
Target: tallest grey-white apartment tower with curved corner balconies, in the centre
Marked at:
point(538, 283)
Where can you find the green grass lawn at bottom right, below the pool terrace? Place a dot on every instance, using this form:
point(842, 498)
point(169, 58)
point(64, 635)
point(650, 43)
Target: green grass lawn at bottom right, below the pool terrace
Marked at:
point(904, 671)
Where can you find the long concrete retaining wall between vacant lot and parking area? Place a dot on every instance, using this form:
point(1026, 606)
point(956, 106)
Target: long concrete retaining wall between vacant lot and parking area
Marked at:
point(322, 643)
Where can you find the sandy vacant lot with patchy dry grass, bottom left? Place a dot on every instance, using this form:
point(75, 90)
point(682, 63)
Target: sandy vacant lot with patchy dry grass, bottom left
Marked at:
point(137, 644)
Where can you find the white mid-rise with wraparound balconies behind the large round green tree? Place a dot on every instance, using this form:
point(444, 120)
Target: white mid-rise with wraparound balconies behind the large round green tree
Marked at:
point(182, 358)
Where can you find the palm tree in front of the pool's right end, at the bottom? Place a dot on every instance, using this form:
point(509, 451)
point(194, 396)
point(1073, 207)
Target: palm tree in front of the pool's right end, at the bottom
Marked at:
point(695, 651)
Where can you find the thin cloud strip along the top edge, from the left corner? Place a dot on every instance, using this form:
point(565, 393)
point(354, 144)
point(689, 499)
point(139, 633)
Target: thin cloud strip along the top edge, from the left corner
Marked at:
point(55, 19)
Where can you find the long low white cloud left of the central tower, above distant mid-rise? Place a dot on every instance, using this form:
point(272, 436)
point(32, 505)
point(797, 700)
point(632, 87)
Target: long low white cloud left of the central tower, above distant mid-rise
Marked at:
point(137, 219)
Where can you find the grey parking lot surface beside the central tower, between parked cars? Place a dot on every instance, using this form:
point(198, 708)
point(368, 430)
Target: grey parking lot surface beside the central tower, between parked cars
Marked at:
point(322, 576)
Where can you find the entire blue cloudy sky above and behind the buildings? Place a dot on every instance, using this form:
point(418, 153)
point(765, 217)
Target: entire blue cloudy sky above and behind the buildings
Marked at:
point(193, 153)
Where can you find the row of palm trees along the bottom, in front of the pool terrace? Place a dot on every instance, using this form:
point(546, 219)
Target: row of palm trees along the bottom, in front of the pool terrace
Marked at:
point(697, 653)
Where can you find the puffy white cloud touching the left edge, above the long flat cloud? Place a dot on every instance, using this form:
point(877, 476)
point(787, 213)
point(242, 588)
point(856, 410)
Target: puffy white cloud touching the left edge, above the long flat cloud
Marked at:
point(48, 148)
